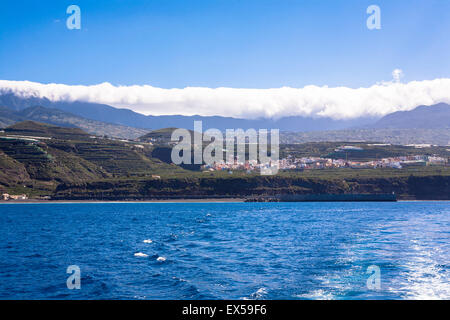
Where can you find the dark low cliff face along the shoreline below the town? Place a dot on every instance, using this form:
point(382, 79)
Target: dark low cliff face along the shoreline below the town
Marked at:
point(420, 188)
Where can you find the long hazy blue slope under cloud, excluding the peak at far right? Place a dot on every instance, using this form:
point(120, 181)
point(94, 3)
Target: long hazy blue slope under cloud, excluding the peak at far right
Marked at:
point(126, 117)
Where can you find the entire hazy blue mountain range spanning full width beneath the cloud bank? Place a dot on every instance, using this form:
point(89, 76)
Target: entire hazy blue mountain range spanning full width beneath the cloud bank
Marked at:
point(422, 117)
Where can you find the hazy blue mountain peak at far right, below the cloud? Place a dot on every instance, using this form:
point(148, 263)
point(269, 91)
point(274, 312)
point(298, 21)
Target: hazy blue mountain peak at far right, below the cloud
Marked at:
point(423, 117)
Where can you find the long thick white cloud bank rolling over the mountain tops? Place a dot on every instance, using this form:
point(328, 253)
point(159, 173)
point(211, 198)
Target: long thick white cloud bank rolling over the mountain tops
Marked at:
point(336, 102)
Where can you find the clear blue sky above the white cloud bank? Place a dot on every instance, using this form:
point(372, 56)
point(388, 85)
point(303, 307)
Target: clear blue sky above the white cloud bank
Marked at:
point(231, 43)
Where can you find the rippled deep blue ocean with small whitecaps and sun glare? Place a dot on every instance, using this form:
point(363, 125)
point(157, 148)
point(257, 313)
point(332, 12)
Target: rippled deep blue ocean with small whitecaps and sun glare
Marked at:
point(226, 250)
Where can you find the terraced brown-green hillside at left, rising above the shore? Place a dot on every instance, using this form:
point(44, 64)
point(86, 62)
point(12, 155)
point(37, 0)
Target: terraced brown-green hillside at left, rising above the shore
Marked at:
point(34, 154)
